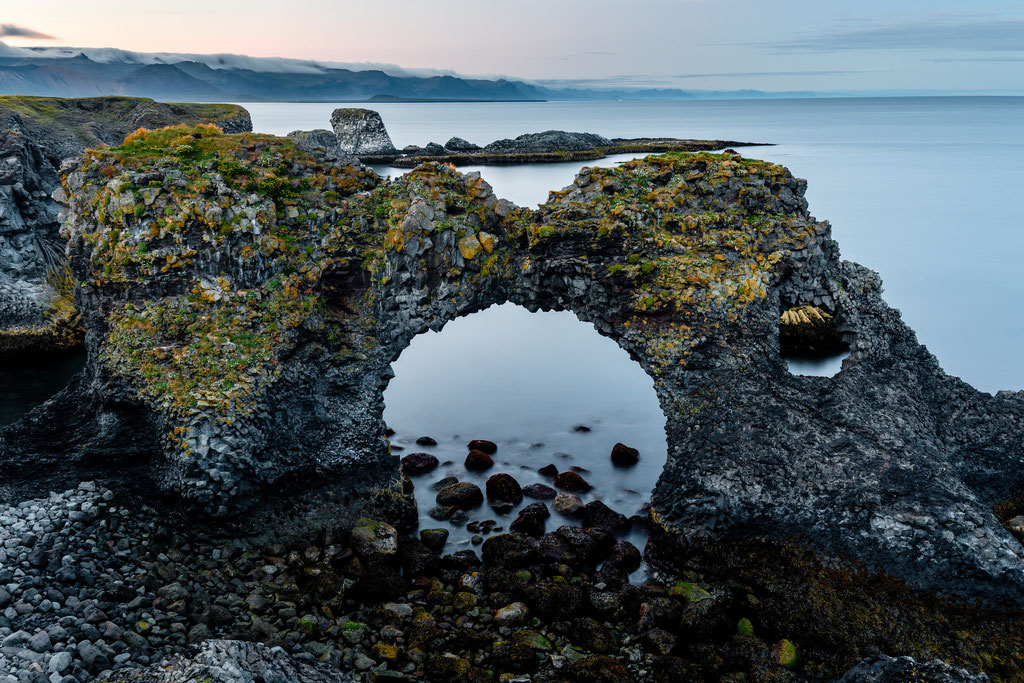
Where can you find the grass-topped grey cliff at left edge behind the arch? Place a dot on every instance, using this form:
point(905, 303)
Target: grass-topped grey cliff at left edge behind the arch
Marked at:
point(36, 134)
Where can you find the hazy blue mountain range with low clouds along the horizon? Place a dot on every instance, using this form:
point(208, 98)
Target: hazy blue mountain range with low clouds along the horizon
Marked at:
point(170, 77)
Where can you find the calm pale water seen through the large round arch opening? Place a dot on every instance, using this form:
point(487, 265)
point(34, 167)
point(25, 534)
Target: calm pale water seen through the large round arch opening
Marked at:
point(525, 381)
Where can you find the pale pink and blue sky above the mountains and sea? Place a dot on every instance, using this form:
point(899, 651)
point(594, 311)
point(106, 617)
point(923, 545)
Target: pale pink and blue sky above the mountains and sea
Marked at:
point(820, 46)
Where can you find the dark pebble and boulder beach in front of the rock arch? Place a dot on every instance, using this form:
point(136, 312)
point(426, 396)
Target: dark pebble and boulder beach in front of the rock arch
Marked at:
point(92, 590)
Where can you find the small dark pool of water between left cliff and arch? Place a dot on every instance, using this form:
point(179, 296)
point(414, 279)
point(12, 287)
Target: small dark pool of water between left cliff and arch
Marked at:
point(26, 383)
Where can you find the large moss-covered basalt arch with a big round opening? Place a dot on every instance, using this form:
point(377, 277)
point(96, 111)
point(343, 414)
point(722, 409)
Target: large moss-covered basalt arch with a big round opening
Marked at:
point(244, 300)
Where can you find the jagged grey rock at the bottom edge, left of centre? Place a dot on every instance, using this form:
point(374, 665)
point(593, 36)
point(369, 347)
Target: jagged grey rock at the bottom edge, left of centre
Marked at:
point(236, 662)
